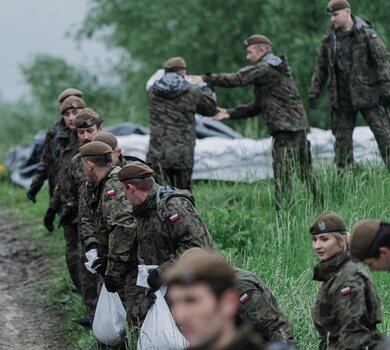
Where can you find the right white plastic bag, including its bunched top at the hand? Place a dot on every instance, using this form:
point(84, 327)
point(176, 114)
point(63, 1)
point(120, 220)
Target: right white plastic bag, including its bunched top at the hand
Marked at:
point(159, 331)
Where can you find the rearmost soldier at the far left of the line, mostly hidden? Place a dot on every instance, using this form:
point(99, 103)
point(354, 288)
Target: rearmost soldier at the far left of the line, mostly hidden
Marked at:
point(48, 164)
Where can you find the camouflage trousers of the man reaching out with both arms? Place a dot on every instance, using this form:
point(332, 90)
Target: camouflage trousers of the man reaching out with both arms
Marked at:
point(291, 153)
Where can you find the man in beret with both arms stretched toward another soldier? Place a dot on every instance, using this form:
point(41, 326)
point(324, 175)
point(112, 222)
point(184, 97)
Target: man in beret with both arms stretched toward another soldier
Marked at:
point(277, 97)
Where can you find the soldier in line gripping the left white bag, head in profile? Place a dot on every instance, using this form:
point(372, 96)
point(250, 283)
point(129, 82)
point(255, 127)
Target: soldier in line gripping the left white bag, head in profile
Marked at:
point(115, 229)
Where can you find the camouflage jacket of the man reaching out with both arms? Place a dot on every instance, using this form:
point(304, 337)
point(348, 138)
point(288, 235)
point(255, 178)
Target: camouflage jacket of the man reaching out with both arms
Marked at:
point(276, 95)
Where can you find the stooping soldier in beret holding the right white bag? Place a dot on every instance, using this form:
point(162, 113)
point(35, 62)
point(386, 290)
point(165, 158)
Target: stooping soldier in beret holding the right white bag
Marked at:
point(168, 223)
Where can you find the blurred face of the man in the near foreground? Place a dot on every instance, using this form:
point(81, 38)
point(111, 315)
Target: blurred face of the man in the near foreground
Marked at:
point(202, 318)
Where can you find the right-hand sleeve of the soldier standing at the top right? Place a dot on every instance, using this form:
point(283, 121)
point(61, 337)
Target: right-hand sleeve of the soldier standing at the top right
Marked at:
point(380, 58)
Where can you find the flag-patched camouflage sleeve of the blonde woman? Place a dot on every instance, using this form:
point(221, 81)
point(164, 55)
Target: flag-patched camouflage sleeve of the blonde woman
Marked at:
point(349, 302)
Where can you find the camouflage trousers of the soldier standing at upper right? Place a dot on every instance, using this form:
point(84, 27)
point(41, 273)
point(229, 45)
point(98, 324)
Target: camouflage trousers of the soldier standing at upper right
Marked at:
point(343, 124)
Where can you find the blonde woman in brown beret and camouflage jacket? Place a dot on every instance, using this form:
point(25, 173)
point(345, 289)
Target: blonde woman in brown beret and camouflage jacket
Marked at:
point(347, 308)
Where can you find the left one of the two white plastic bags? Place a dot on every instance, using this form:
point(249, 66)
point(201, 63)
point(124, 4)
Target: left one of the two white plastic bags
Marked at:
point(109, 323)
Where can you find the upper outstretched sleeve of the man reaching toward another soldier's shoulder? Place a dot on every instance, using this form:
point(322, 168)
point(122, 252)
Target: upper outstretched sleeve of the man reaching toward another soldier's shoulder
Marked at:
point(253, 74)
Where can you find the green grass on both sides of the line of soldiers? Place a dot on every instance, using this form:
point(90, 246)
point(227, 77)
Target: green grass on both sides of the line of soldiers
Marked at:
point(245, 227)
